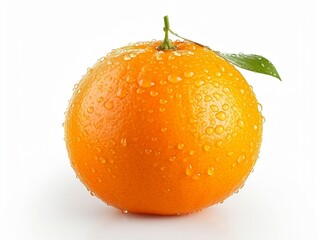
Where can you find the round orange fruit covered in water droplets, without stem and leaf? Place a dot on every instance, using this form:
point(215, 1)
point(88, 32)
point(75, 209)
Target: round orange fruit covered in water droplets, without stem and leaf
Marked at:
point(163, 133)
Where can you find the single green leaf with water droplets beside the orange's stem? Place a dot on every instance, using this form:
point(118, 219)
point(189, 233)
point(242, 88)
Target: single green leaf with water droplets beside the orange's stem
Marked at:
point(251, 62)
